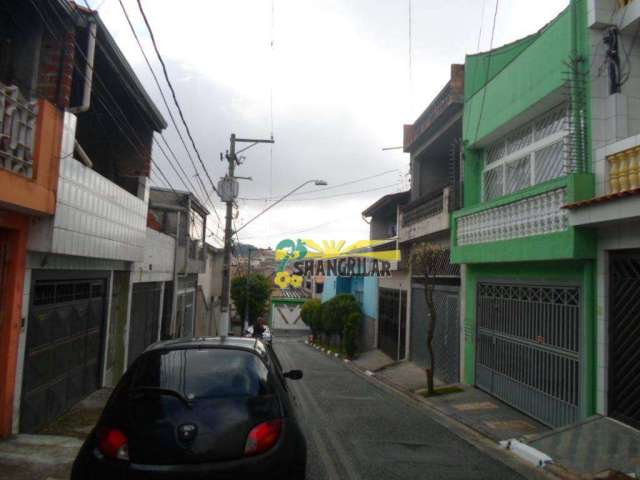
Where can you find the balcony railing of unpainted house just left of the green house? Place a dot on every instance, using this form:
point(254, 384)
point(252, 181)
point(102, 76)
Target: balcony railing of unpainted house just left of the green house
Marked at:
point(426, 215)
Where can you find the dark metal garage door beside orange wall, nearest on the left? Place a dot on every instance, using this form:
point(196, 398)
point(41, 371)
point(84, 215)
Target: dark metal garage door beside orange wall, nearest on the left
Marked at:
point(63, 348)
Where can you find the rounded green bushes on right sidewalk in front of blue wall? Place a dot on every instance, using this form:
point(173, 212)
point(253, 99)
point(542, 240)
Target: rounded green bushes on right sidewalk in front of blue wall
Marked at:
point(339, 318)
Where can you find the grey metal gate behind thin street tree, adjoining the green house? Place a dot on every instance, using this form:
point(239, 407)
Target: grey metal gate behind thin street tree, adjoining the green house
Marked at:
point(446, 341)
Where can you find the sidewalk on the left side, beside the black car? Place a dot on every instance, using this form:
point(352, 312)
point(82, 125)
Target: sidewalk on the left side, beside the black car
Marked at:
point(49, 455)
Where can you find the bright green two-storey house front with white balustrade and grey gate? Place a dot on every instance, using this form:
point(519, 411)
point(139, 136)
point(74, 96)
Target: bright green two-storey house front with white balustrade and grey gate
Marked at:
point(528, 306)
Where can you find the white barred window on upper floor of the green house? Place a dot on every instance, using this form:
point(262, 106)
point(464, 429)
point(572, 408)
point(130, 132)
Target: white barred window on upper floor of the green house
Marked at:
point(529, 155)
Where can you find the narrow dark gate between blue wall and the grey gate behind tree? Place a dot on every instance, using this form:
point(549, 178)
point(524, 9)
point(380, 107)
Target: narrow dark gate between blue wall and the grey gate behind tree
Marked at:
point(392, 321)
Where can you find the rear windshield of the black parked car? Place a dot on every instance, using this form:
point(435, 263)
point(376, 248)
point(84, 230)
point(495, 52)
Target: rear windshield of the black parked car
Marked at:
point(204, 373)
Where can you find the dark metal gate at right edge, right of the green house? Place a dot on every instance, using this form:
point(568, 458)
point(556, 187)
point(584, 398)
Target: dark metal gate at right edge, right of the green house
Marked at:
point(624, 333)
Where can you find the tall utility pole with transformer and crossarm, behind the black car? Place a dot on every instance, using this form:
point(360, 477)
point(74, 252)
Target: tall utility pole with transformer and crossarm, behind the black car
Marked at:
point(228, 190)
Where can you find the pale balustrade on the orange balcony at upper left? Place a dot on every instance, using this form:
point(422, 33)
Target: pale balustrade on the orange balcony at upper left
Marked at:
point(17, 127)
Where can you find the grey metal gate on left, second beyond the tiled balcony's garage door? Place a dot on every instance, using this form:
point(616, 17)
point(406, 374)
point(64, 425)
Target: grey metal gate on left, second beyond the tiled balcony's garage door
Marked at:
point(145, 313)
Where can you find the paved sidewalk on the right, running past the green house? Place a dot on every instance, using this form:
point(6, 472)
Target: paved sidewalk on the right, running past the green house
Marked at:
point(598, 447)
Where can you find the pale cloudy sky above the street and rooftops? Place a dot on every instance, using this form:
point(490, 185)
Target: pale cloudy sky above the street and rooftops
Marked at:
point(333, 80)
